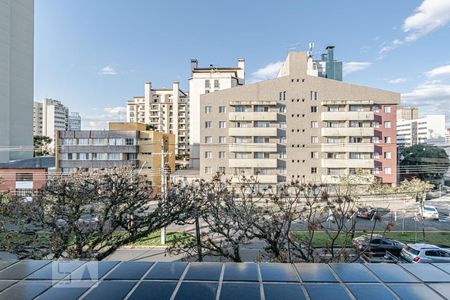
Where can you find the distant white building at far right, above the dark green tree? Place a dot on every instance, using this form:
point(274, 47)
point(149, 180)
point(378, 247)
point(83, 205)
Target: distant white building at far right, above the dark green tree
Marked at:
point(430, 129)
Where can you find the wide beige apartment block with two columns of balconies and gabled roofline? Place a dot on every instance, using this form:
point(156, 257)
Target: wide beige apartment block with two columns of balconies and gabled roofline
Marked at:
point(299, 126)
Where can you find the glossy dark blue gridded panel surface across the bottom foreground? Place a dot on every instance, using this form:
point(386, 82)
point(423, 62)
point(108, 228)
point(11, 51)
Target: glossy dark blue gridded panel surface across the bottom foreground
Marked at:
point(180, 280)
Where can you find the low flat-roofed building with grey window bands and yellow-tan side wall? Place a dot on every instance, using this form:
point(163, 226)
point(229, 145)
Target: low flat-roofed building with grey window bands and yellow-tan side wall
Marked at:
point(123, 145)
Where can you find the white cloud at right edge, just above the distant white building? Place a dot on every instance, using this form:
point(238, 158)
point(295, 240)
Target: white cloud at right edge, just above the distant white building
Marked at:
point(430, 97)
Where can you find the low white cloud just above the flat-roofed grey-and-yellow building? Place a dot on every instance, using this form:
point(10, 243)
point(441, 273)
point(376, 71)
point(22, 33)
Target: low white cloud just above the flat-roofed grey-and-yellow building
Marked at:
point(100, 121)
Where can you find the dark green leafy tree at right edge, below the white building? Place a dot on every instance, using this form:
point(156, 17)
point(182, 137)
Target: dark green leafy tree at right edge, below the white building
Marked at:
point(427, 162)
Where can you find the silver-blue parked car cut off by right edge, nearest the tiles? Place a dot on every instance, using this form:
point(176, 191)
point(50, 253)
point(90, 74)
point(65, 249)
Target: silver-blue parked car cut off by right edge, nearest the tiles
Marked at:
point(425, 253)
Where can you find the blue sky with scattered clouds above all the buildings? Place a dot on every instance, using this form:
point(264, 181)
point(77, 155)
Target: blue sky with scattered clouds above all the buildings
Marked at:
point(94, 55)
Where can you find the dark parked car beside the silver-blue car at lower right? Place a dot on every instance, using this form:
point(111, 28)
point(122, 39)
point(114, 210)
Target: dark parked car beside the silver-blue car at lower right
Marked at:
point(377, 244)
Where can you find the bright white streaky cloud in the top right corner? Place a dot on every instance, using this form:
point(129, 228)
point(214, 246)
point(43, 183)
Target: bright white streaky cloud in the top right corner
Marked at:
point(429, 16)
